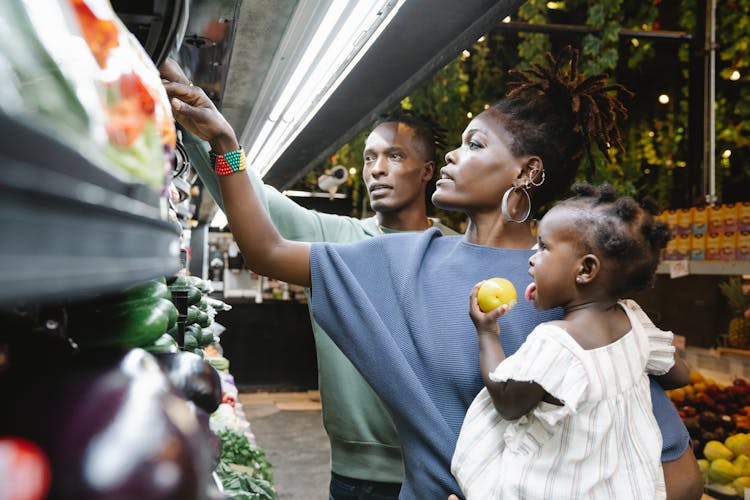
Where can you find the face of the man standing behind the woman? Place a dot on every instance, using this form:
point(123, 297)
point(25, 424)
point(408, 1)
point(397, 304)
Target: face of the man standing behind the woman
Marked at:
point(395, 168)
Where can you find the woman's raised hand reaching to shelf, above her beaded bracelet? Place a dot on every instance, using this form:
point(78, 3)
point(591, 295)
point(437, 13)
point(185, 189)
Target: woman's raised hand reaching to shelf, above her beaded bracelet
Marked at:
point(193, 109)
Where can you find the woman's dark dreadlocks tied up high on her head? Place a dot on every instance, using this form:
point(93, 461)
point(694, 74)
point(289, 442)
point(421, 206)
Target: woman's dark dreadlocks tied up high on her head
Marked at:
point(554, 112)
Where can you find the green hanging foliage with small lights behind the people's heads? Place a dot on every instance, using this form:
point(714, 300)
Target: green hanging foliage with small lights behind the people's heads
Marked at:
point(658, 160)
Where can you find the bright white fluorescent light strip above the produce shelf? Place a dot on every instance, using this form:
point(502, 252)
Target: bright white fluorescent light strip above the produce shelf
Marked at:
point(342, 36)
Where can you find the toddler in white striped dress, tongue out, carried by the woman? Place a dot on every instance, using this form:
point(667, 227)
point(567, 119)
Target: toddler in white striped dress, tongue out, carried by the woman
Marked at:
point(569, 414)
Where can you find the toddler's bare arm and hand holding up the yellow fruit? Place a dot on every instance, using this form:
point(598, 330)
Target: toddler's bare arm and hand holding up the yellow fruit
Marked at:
point(512, 399)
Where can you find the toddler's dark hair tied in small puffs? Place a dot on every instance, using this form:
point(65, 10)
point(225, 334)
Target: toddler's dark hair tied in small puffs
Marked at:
point(622, 230)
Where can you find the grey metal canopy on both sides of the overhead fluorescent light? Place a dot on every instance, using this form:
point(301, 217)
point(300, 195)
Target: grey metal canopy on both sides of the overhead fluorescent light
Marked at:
point(424, 36)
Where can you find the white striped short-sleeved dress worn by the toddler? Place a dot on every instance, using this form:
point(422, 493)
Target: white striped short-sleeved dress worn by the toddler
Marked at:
point(602, 443)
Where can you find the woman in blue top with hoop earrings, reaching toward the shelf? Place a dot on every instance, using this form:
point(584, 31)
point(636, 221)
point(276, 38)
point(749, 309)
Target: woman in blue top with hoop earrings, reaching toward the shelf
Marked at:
point(395, 305)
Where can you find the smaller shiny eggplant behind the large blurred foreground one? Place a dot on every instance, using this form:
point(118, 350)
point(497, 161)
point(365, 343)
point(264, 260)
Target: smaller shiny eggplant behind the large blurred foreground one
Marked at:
point(194, 378)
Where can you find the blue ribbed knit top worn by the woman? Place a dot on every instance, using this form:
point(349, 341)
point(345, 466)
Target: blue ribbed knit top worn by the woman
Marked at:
point(397, 306)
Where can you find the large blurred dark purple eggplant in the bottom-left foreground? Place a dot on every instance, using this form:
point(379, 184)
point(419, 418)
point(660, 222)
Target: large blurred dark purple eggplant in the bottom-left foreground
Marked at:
point(112, 427)
